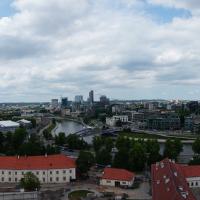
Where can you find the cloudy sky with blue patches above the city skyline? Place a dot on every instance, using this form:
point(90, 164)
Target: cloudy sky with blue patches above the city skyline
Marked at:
point(125, 49)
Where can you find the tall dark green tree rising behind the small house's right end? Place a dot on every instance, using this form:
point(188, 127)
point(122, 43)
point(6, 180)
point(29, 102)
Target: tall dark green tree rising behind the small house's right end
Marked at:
point(137, 157)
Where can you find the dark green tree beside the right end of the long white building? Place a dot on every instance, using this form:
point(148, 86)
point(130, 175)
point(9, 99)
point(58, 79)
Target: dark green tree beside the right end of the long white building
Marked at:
point(84, 161)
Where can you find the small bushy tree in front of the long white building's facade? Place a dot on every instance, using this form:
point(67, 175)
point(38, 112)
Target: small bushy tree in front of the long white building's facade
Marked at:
point(30, 182)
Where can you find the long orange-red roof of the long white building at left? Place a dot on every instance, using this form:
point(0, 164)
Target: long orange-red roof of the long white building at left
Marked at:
point(36, 162)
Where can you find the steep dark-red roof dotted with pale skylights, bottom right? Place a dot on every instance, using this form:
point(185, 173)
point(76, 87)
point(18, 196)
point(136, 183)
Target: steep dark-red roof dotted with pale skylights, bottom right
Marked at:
point(169, 183)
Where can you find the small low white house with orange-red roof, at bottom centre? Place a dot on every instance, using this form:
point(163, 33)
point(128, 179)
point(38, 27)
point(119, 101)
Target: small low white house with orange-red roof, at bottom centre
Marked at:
point(117, 177)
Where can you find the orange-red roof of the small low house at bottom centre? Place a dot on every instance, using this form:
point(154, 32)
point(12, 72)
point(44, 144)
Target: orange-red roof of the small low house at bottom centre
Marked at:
point(117, 174)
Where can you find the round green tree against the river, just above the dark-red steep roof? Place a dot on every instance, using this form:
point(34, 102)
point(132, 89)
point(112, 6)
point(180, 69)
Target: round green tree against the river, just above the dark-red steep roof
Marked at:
point(173, 148)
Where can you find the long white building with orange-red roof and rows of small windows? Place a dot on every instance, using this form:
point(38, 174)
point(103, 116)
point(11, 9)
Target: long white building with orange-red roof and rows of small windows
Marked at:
point(48, 169)
